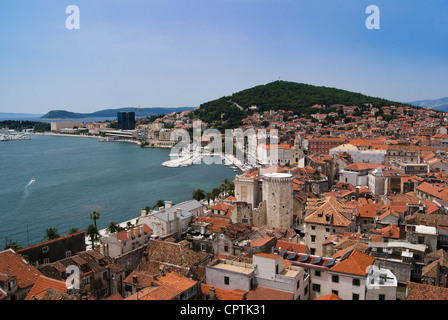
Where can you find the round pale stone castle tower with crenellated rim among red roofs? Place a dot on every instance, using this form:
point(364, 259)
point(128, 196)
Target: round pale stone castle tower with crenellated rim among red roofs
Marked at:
point(278, 197)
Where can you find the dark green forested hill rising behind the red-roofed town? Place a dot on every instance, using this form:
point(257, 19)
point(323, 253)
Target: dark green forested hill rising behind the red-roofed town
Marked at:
point(280, 95)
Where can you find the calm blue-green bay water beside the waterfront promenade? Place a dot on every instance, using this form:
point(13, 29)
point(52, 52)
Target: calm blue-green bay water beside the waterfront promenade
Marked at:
point(74, 176)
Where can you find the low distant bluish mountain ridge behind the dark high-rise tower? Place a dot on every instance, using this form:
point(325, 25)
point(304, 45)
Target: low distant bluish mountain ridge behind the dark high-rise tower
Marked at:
point(109, 113)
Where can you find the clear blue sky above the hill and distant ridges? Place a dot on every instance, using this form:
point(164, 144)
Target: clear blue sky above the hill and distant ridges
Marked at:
point(172, 53)
